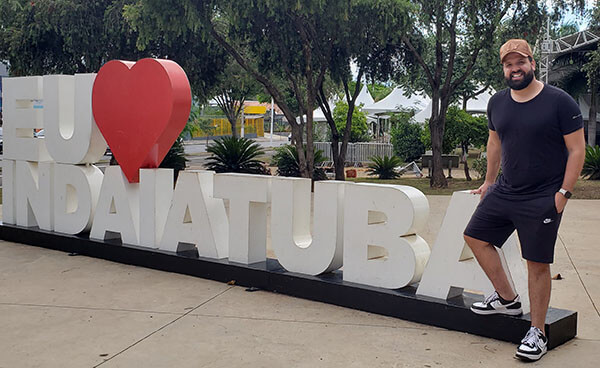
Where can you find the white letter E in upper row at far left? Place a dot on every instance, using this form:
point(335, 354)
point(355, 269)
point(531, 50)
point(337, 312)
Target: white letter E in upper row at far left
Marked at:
point(22, 114)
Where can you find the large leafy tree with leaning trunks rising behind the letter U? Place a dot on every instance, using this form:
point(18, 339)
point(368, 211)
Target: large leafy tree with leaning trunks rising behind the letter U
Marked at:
point(289, 48)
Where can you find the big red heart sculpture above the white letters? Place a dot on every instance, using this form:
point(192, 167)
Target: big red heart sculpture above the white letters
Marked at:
point(141, 108)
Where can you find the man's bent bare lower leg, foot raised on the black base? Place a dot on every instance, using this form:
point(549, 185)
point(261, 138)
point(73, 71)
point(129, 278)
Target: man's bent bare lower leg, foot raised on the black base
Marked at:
point(489, 260)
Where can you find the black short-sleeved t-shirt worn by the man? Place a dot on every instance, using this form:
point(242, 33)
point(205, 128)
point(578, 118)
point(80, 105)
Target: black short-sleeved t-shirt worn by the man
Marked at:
point(534, 154)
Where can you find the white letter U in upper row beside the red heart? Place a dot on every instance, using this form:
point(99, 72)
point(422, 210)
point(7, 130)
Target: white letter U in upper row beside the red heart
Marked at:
point(71, 134)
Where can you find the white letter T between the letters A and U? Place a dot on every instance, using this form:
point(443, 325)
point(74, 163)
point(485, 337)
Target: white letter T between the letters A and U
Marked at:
point(248, 197)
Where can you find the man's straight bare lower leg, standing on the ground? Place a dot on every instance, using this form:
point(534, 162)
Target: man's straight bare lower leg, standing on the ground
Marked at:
point(539, 292)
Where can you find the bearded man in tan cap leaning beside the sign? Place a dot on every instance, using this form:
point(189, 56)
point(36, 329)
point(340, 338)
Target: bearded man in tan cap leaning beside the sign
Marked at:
point(536, 131)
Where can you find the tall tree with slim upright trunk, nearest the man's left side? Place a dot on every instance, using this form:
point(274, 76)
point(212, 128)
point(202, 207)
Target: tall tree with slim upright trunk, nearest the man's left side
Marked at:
point(444, 33)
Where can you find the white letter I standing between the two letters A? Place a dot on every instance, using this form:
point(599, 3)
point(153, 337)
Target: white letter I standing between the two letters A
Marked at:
point(156, 193)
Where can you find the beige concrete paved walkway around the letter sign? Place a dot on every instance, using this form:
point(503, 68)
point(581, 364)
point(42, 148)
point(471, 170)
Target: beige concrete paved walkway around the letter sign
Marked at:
point(58, 310)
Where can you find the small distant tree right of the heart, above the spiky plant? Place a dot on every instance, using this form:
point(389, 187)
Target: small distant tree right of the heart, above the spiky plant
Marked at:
point(231, 91)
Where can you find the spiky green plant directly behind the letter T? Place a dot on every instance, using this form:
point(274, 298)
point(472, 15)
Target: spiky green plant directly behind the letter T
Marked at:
point(231, 154)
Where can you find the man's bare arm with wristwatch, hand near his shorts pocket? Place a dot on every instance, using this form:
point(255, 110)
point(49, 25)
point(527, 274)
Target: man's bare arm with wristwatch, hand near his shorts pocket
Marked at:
point(575, 143)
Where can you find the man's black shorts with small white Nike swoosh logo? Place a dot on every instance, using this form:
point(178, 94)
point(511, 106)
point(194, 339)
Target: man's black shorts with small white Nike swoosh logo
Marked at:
point(535, 220)
